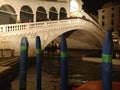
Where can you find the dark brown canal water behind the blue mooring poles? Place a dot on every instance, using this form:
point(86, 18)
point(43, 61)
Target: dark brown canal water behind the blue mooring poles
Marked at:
point(79, 71)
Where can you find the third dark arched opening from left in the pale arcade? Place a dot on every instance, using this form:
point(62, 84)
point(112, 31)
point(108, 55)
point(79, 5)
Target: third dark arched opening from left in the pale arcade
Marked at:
point(41, 14)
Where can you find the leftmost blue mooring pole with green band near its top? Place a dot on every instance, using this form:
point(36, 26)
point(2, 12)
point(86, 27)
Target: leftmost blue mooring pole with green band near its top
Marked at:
point(23, 62)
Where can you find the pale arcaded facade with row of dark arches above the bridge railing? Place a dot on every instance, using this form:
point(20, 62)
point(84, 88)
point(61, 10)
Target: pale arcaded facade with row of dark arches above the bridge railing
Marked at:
point(12, 11)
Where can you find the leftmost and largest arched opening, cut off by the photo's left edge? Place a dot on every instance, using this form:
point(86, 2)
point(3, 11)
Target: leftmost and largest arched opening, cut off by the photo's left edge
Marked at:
point(7, 14)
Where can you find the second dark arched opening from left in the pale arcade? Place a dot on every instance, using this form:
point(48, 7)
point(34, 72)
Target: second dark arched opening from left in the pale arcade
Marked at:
point(26, 14)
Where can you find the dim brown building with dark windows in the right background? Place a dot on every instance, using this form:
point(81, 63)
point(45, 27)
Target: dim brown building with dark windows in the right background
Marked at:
point(109, 19)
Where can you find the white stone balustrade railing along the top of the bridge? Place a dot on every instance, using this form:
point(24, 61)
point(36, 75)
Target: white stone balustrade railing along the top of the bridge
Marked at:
point(26, 26)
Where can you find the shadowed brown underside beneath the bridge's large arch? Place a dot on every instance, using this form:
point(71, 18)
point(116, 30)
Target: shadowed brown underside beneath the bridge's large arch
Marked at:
point(81, 39)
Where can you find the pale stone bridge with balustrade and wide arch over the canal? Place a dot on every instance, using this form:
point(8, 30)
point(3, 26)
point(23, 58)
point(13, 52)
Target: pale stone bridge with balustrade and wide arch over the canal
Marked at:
point(81, 33)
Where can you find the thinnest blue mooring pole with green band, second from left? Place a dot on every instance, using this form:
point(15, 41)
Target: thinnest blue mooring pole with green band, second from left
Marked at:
point(38, 62)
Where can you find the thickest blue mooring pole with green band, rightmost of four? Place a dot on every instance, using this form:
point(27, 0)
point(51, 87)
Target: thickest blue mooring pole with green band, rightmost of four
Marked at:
point(107, 61)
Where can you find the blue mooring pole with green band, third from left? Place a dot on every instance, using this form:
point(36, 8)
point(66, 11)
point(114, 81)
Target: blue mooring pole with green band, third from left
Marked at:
point(63, 55)
